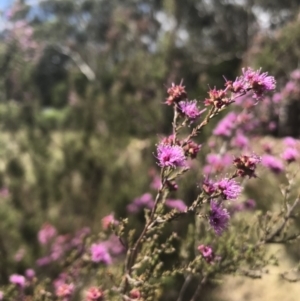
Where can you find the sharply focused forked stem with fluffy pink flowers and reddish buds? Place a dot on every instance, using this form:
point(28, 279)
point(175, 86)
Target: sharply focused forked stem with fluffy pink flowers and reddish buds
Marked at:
point(172, 154)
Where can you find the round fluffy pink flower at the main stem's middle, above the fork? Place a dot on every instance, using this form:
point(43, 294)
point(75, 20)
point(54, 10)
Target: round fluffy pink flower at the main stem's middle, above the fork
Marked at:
point(170, 156)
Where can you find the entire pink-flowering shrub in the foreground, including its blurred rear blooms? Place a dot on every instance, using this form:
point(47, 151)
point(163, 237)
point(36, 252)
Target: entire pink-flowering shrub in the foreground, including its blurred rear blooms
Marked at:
point(209, 248)
